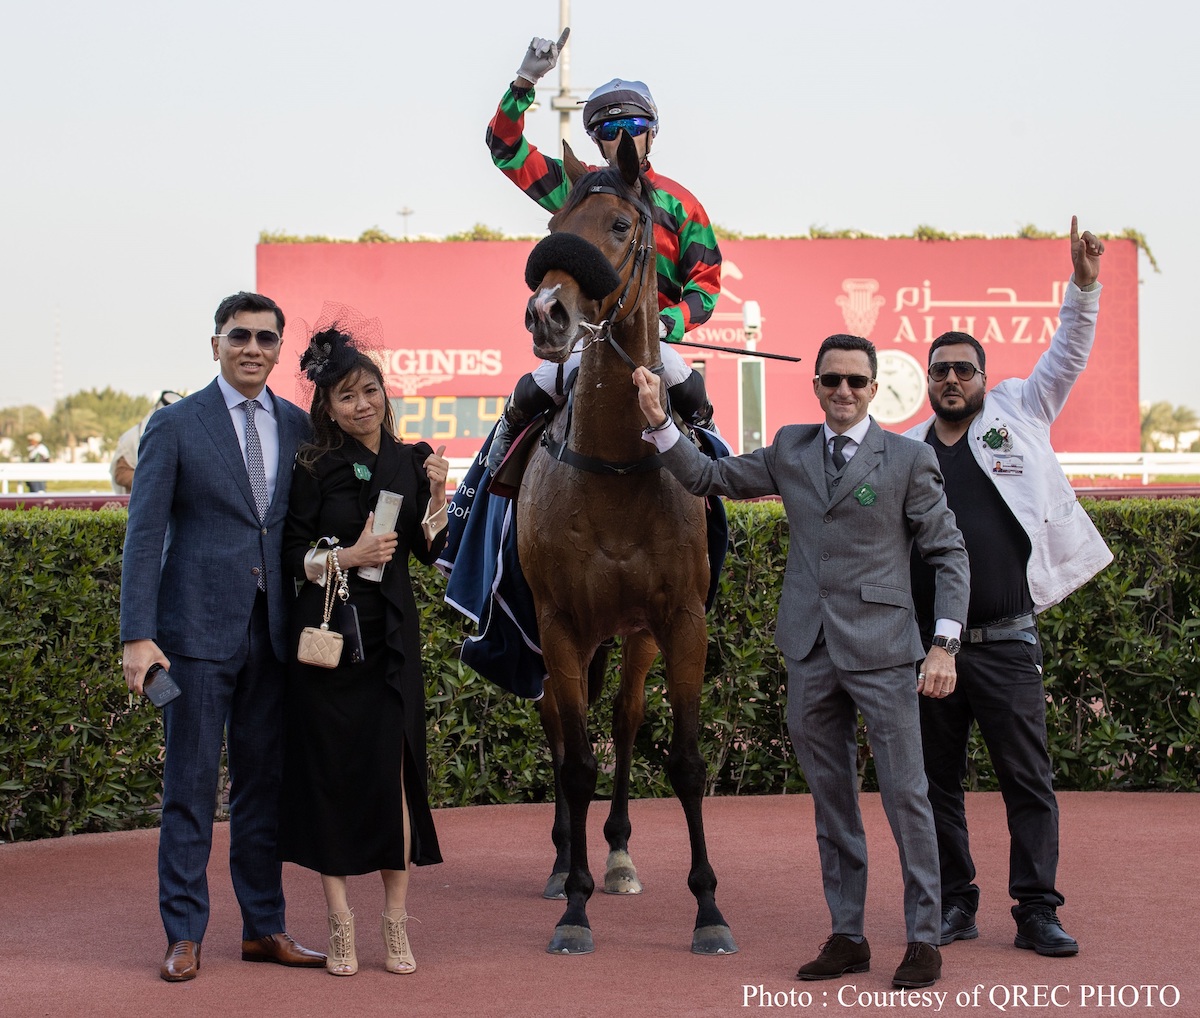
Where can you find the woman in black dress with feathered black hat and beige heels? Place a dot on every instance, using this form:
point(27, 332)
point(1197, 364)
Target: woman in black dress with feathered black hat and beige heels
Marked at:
point(355, 793)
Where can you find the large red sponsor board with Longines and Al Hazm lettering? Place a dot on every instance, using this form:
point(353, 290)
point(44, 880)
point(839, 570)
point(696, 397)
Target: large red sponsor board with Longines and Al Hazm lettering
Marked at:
point(453, 319)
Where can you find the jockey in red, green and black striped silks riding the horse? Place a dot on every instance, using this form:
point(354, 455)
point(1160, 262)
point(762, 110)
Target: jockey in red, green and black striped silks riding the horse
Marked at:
point(689, 262)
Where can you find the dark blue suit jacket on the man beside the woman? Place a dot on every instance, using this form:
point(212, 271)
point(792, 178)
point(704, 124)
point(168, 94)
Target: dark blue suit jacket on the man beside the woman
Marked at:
point(194, 536)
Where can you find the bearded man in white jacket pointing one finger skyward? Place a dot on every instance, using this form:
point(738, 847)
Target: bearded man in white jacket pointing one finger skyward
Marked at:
point(1031, 544)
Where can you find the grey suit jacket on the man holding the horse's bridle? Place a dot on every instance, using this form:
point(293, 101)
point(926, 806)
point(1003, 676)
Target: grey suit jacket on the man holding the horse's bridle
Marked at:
point(848, 561)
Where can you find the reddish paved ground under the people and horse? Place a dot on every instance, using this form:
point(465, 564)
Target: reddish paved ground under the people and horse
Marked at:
point(80, 932)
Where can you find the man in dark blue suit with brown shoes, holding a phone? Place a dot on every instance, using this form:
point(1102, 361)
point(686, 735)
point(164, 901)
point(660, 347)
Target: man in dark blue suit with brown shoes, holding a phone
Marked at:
point(202, 584)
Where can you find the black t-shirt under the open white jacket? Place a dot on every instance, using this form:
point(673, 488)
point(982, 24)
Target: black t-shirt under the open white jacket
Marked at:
point(997, 543)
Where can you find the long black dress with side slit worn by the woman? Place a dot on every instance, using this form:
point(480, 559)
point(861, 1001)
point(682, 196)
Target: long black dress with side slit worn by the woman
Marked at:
point(349, 729)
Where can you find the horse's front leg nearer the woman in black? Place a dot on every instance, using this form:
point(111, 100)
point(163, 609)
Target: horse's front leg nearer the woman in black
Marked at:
point(573, 936)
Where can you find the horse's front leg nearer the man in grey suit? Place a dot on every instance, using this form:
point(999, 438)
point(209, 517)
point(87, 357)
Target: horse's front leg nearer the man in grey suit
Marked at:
point(686, 651)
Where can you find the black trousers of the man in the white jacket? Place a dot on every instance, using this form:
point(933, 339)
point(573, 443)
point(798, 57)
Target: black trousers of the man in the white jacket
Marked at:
point(1000, 687)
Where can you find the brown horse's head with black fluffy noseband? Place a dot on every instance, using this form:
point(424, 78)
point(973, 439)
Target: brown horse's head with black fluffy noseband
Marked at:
point(598, 258)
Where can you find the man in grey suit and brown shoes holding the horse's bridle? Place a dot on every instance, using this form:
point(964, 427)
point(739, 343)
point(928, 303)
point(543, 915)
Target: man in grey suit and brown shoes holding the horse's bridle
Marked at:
point(857, 499)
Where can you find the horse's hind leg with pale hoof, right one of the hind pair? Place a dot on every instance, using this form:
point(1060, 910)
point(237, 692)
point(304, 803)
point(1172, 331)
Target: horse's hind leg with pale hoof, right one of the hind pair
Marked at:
point(629, 710)
